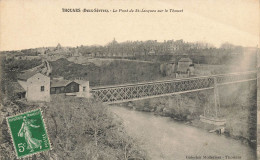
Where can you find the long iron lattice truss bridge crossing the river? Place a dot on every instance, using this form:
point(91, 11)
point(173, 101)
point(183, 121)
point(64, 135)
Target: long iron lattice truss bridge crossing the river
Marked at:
point(138, 91)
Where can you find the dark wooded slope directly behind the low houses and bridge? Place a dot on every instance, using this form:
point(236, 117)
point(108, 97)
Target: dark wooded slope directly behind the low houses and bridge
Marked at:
point(117, 72)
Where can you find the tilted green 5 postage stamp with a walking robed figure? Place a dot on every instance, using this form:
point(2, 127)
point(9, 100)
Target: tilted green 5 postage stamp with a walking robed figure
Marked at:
point(28, 133)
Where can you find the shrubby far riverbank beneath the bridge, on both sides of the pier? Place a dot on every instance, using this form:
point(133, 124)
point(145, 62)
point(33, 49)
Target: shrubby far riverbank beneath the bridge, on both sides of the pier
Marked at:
point(238, 107)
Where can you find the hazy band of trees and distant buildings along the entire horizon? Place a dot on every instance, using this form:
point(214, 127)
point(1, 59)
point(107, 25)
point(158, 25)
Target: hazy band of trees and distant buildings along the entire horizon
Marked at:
point(150, 50)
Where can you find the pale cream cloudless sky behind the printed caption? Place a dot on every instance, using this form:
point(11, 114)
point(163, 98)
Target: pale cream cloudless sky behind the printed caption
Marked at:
point(37, 23)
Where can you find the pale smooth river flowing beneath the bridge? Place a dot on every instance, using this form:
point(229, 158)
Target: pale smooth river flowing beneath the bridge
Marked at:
point(166, 139)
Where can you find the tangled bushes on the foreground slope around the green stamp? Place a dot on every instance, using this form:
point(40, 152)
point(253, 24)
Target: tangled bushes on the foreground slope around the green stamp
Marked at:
point(78, 129)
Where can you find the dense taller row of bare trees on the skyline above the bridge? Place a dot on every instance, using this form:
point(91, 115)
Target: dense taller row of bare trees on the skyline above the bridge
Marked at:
point(152, 47)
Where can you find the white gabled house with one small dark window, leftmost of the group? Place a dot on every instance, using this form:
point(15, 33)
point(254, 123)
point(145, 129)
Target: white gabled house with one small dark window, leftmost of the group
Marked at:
point(36, 86)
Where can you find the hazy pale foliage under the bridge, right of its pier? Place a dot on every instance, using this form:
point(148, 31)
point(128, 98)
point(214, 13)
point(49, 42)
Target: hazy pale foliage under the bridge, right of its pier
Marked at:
point(239, 106)
